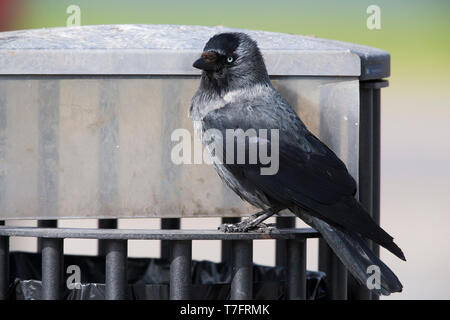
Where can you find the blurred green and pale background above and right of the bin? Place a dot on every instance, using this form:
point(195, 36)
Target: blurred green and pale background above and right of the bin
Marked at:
point(415, 197)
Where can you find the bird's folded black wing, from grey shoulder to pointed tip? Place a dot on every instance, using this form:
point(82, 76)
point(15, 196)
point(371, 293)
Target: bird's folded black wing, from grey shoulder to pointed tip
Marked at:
point(310, 175)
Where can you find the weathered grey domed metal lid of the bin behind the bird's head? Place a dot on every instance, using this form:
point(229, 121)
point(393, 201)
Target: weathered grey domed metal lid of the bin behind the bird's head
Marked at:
point(171, 49)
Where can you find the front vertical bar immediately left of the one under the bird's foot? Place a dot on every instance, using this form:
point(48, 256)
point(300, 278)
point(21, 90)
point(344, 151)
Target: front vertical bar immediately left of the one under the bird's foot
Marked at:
point(180, 269)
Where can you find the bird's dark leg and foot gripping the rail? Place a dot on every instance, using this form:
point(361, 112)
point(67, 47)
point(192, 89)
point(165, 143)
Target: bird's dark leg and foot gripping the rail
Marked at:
point(254, 222)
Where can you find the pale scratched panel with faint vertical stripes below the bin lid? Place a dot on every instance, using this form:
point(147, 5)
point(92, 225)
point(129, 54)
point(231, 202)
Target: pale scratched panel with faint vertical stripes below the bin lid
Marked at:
point(81, 147)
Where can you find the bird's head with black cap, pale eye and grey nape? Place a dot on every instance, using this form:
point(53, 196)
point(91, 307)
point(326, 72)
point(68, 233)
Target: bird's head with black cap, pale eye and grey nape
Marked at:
point(232, 60)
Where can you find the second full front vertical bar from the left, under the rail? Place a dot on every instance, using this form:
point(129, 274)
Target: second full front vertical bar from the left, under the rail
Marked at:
point(116, 269)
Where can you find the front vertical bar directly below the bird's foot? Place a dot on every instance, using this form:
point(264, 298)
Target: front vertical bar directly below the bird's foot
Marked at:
point(242, 281)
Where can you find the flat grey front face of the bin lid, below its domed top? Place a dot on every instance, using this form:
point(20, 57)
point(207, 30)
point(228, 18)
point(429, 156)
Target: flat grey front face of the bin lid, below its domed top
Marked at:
point(155, 62)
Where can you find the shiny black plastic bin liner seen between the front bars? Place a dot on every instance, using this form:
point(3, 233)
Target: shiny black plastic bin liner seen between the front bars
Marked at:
point(149, 279)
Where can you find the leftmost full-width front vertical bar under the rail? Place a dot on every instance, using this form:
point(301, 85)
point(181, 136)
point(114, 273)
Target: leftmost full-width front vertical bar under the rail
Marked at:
point(52, 268)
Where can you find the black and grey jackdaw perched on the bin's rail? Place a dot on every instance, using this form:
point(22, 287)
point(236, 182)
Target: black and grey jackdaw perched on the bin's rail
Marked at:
point(235, 92)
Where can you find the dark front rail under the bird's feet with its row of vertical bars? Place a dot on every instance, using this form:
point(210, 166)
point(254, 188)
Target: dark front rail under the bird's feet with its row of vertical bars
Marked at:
point(115, 243)
